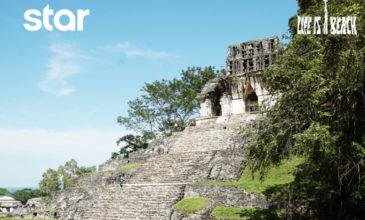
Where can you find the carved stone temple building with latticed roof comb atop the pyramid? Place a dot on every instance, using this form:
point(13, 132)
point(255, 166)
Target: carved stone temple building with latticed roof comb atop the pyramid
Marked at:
point(240, 90)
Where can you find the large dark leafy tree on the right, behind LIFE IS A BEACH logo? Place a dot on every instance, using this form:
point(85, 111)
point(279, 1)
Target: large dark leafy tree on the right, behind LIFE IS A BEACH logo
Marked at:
point(320, 114)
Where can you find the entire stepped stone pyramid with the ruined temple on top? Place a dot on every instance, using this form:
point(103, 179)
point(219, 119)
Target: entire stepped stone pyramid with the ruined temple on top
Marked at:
point(206, 153)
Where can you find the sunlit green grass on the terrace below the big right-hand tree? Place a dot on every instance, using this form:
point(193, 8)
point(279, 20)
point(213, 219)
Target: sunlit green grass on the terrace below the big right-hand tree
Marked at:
point(279, 175)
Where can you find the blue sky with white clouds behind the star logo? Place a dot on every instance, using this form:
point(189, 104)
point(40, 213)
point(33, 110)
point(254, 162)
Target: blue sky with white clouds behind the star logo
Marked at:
point(61, 92)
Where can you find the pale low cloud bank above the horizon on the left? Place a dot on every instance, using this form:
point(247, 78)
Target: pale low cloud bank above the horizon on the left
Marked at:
point(26, 154)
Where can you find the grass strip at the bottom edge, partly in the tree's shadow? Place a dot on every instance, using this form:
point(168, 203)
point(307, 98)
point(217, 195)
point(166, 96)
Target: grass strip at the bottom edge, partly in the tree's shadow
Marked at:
point(245, 213)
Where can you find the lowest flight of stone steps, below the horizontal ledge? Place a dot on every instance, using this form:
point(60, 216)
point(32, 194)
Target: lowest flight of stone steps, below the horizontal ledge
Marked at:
point(135, 202)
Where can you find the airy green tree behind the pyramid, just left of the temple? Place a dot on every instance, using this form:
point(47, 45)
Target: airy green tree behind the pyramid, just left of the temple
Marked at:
point(165, 102)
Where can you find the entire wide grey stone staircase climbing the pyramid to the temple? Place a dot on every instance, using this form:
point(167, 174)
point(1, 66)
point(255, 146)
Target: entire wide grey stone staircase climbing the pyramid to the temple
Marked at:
point(161, 180)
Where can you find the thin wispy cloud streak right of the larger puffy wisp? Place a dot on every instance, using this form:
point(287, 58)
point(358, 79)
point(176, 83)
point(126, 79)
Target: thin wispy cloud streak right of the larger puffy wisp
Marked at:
point(130, 50)
